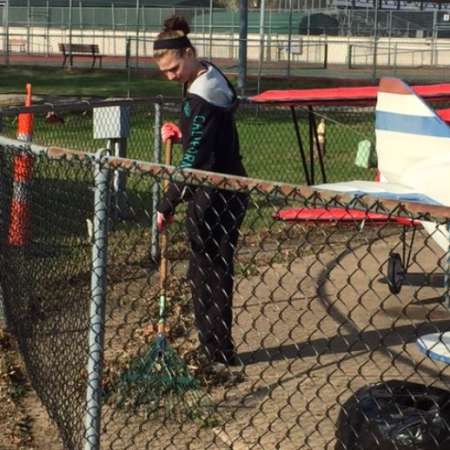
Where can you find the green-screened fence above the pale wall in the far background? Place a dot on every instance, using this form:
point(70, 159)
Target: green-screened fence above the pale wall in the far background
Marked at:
point(343, 20)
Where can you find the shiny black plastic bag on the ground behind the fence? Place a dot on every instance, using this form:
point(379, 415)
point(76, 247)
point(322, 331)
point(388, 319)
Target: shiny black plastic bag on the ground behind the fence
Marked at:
point(395, 415)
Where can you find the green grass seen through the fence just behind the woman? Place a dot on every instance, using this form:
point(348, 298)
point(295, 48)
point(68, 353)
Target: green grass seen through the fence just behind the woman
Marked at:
point(269, 146)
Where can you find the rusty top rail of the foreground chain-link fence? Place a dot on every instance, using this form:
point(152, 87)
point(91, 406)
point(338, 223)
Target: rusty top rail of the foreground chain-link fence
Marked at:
point(309, 195)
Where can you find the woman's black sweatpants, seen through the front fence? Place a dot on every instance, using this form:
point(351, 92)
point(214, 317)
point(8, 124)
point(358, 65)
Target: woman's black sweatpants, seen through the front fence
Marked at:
point(213, 221)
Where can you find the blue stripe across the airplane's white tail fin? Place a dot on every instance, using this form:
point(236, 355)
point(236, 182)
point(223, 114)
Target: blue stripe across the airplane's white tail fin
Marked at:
point(405, 123)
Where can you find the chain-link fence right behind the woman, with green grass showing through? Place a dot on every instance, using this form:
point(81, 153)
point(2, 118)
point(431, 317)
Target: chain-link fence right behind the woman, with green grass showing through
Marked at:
point(269, 143)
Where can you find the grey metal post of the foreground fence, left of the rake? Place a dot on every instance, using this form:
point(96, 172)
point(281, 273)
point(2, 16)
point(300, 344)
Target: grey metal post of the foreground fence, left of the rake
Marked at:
point(97, 306)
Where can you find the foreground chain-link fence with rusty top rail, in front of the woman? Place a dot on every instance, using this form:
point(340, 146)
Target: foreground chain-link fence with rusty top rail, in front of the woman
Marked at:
point(314, 314)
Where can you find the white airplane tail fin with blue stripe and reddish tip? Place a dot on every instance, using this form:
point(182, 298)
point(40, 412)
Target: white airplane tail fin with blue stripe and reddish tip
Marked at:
point(408, 132)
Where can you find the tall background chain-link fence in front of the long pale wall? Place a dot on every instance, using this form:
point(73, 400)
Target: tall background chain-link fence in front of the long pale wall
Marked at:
point(281, 41)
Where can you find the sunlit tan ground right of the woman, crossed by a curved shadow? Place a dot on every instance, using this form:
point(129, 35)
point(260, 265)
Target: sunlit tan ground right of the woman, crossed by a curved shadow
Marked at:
point(334, 327)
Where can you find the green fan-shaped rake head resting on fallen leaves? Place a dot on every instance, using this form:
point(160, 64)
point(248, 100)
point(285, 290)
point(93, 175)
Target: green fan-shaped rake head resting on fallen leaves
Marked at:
point(160, 384)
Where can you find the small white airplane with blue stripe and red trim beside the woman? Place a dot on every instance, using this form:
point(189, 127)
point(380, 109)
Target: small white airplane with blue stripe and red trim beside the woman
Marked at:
point(413, 153)
